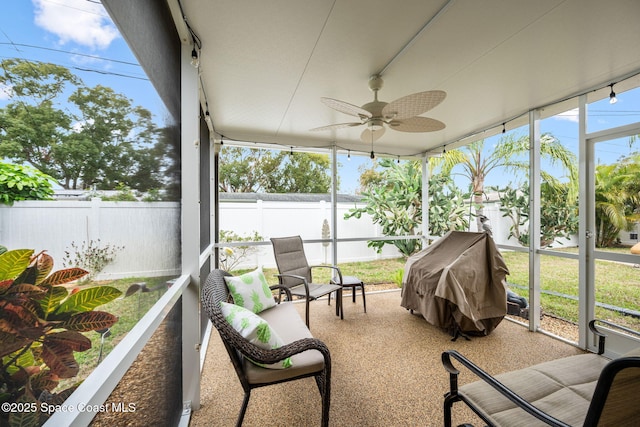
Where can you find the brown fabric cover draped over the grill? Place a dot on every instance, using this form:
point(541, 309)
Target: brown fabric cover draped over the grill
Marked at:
point(458, 283)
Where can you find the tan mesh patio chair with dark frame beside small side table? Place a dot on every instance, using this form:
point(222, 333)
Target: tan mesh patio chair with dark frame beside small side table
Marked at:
point(295, 273)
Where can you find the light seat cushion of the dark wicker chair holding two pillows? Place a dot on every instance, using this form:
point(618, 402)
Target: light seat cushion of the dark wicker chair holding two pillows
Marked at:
point(287, 323)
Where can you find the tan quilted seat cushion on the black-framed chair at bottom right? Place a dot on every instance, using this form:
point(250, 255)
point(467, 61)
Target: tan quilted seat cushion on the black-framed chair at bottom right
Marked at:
point(562, 388)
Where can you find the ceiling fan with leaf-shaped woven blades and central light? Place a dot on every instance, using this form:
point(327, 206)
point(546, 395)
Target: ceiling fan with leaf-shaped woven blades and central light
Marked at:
point(401, 114)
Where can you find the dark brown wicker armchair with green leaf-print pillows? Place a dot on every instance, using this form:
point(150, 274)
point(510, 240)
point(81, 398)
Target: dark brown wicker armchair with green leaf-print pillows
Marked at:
point(310, 356)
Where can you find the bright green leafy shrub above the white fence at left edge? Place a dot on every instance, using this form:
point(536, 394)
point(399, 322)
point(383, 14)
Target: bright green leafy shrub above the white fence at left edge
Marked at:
point(23, 183)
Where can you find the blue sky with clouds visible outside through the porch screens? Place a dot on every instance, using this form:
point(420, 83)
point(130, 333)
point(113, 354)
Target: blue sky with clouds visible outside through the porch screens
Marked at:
point(79, 35)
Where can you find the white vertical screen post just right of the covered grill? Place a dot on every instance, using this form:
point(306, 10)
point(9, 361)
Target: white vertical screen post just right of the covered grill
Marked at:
point(534, 220)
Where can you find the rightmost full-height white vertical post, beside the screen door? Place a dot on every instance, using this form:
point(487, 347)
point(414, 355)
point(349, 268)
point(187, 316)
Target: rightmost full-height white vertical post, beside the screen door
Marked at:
point(586, 237)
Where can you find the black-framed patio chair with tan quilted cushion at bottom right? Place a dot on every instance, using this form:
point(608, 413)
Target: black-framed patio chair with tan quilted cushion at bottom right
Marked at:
point(584, 390)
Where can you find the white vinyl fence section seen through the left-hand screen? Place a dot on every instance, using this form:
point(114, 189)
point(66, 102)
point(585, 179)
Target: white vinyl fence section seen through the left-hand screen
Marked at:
point(149, 232)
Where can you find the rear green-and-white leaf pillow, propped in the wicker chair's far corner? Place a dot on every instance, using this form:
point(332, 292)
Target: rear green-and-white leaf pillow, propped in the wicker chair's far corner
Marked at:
point(251, 291)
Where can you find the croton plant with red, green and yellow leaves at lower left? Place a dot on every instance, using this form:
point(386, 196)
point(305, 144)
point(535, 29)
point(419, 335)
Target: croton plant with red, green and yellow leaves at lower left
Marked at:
point(42, 320)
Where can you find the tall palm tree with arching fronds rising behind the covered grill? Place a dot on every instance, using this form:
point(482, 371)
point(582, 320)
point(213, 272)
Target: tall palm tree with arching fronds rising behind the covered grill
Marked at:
point(476, 164)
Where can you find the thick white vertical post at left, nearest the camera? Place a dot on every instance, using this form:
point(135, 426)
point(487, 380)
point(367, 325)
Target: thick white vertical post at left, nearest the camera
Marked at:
point(190, 228)
